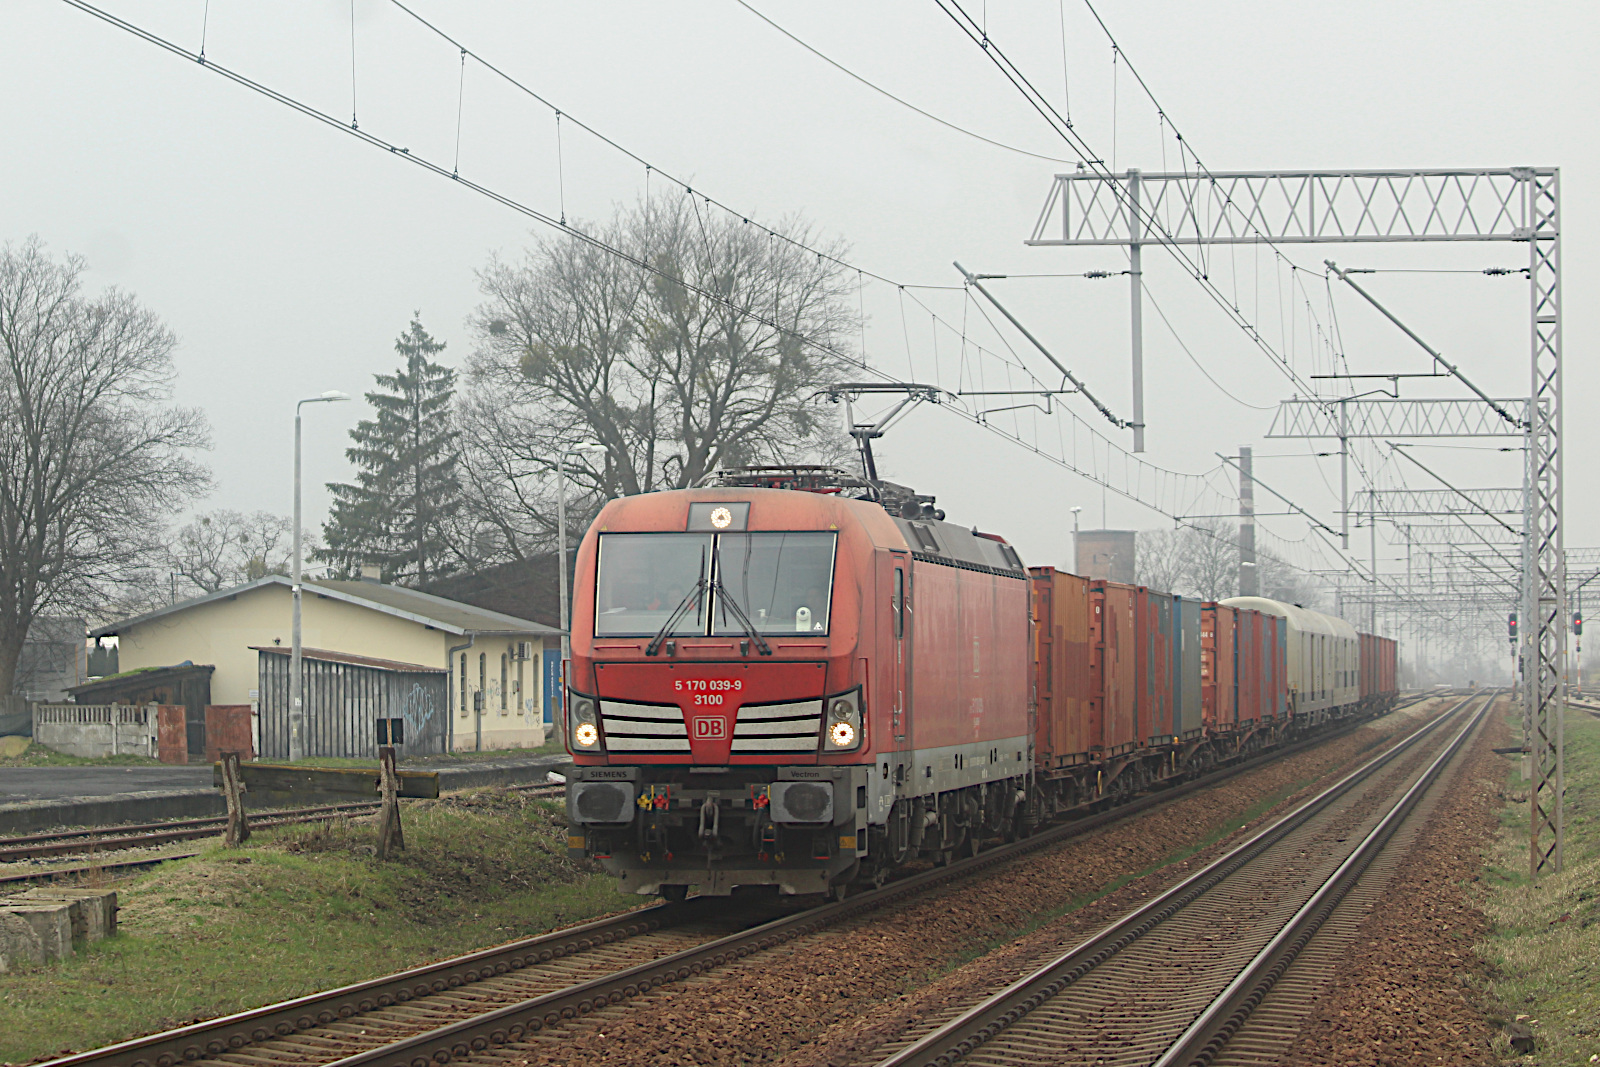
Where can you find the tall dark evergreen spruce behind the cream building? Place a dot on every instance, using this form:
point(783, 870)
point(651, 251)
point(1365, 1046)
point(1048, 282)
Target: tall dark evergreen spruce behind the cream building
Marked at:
point(406, 487)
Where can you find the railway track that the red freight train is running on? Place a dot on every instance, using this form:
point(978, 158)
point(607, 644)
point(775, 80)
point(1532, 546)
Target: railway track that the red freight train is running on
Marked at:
point(510, 994)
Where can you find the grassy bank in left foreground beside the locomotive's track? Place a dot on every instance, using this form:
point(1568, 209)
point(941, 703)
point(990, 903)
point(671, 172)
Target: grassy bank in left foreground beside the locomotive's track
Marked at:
point(305, 909)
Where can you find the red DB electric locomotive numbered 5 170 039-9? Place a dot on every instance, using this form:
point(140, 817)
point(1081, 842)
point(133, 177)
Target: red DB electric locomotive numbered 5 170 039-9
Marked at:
point(793, 689)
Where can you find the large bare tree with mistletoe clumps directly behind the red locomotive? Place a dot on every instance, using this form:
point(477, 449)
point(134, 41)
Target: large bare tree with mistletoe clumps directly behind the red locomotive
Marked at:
point(580, 345)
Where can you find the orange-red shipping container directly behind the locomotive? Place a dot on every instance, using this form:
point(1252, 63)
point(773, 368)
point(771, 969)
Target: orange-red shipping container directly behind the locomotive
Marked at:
point(1068, 719)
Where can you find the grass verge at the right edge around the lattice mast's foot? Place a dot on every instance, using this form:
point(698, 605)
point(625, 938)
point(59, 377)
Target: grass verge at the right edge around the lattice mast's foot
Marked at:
point(1545, 948)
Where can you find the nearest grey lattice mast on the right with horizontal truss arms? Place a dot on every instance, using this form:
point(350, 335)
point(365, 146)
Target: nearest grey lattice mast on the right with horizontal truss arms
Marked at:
point(1393, 207)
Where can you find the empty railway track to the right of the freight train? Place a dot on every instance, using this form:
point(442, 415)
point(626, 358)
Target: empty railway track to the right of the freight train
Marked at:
point(1222, 967)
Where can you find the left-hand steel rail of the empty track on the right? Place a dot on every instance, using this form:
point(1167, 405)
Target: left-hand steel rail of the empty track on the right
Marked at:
point(999, 1012)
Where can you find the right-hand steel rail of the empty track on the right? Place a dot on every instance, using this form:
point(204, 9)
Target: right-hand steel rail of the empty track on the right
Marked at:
point(1210, 1033)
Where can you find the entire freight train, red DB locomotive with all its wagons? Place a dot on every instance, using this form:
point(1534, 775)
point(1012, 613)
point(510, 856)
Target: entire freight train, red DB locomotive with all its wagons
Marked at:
point(799, 679)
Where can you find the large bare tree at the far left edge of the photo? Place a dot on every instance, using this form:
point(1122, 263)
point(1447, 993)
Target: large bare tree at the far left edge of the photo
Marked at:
point(94, 457)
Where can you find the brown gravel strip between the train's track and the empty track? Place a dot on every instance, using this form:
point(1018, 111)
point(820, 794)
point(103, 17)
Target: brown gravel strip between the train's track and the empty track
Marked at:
point(836, 997)
